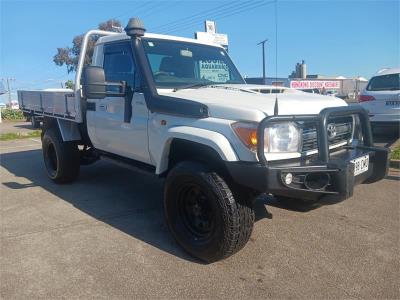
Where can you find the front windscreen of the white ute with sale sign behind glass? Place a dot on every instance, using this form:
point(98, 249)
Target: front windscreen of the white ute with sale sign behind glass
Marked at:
point(176, 64)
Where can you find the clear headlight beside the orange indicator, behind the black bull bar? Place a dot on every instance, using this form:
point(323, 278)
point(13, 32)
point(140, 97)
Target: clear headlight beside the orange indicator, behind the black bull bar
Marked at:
point(282, 137)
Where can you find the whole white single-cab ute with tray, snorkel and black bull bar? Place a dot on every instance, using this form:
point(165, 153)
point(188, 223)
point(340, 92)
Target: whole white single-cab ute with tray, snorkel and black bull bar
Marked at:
point(178, 108)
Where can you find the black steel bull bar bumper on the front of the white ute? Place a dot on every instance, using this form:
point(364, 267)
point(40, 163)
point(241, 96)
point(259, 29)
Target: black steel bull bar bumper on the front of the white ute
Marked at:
point(336, 166)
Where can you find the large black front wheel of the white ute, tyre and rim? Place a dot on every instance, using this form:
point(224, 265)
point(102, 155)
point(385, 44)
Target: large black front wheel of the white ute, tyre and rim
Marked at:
point(203, 215)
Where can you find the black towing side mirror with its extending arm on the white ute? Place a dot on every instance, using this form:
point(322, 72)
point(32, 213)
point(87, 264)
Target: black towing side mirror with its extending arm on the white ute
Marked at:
point(94, 84)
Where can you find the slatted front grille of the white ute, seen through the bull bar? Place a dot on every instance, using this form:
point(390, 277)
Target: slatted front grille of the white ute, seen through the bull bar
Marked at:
point(343, 127)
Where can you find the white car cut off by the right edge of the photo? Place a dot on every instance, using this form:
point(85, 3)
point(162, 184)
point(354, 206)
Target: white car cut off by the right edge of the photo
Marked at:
point(381, 98)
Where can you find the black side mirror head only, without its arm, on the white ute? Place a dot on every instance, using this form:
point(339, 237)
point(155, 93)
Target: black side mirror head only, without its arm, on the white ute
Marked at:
point(93, 83)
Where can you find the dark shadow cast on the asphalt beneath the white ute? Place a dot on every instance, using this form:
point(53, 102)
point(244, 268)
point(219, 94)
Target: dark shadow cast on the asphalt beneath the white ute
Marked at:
point(130, 202)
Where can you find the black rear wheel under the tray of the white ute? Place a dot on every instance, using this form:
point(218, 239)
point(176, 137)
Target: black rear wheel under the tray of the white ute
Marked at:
point(61, 158)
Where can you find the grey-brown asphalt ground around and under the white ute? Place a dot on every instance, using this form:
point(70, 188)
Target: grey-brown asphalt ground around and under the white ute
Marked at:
point(105, 237)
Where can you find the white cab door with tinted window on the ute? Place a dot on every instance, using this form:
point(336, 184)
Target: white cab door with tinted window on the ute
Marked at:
point(127, 138)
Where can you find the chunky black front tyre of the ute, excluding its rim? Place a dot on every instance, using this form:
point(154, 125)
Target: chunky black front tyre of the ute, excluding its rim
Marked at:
point(235, 218)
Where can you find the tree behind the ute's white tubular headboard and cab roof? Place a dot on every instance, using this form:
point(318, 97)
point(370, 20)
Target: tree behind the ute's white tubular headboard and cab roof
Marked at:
point(69, 56)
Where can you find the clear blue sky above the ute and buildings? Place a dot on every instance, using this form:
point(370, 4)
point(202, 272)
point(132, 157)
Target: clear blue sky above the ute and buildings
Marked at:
point(337, 37)
